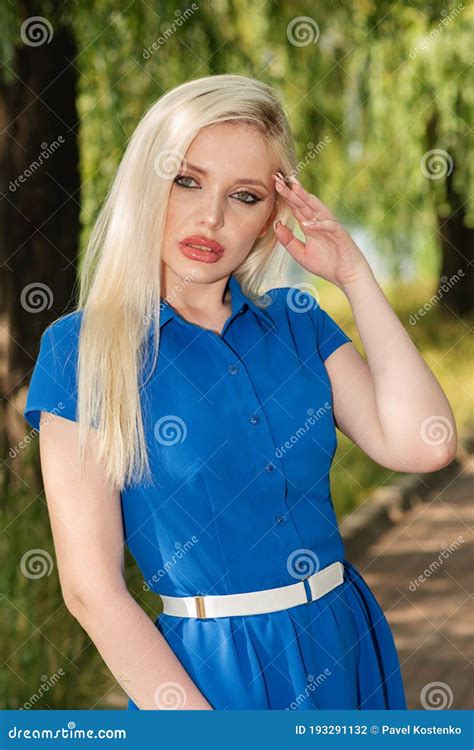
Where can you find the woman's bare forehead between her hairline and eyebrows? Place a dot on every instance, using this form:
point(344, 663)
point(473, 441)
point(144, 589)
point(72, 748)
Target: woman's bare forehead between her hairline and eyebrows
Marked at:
point(230, 148)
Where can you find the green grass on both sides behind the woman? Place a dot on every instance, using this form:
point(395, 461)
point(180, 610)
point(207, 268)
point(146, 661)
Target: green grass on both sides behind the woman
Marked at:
point(40, 637)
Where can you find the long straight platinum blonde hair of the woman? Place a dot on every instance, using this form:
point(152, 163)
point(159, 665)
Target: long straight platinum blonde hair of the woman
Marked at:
point(119, 279)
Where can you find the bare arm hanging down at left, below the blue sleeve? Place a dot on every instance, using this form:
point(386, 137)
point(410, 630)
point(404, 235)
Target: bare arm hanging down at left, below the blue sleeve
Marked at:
point(87, 529)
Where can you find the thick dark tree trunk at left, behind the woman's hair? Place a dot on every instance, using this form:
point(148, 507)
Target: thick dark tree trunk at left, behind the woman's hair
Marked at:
point(39, 210)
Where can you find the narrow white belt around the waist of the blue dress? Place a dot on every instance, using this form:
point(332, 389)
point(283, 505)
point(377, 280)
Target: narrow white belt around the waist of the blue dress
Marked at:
point(256, 602)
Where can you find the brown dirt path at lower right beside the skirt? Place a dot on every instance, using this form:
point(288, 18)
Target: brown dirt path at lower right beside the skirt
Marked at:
point(421, 572)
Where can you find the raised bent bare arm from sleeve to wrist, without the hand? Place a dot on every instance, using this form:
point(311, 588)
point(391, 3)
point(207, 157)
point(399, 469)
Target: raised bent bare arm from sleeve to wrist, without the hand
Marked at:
point(392, 406)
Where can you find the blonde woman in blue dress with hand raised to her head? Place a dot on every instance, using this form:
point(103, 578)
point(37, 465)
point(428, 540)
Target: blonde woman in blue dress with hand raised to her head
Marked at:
point(211, 460)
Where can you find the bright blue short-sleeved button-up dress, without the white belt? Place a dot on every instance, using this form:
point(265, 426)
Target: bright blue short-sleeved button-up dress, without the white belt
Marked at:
point(241, 434)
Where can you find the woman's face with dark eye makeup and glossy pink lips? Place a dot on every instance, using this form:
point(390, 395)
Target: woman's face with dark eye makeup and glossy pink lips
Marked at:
point(224, 193)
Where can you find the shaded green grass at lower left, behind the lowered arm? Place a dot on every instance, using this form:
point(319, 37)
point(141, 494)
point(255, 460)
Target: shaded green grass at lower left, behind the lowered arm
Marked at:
point(48, 660)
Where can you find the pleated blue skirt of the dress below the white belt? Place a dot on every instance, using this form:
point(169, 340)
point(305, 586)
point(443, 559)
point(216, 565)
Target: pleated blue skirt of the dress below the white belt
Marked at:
point(336, 652)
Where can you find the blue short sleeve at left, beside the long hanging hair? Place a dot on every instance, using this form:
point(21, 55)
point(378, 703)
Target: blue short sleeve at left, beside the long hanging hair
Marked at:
point(53, 384)
